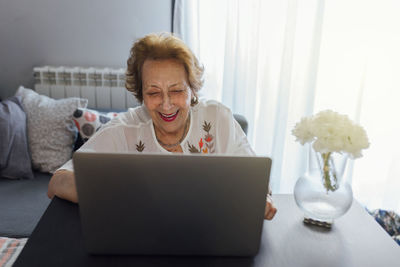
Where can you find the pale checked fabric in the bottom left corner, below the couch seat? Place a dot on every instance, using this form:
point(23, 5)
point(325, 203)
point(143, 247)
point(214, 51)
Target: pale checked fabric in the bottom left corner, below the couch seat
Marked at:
point(10, 249)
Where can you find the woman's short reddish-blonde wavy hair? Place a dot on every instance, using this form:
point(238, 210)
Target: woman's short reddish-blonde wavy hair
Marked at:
point(158, 47)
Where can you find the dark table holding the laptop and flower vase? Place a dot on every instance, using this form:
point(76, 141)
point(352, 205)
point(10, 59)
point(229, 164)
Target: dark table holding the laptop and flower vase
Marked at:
point(354, 240)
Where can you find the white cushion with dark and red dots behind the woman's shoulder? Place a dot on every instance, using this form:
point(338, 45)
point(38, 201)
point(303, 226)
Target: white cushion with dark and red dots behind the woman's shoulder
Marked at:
point(90, 121)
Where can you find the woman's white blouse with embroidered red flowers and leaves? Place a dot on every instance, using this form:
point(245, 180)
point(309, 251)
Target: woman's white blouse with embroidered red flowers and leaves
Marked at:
point(213, 130)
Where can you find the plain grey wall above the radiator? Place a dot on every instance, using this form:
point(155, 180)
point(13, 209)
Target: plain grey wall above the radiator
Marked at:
point(72, 33)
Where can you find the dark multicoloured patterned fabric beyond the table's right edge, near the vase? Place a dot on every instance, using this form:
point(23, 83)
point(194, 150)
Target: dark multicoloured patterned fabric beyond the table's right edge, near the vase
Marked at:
point(390, 221)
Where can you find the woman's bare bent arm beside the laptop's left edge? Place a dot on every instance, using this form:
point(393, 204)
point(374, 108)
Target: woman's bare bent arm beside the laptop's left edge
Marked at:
point(62, 185)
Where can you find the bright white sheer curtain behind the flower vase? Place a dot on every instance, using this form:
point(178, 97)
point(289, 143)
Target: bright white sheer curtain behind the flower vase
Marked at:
point(276, 61)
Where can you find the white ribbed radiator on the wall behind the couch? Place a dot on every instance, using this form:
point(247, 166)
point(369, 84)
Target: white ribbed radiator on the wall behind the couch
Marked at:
point(103, 88)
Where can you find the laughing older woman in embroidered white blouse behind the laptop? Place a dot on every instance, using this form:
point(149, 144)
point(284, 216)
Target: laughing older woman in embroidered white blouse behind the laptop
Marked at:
point(165, 77)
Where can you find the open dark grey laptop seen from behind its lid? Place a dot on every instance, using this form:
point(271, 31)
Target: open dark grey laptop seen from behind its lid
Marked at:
point(162, 204)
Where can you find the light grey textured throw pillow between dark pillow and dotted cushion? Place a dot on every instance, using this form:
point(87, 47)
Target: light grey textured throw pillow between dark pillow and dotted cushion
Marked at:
point(51, 131)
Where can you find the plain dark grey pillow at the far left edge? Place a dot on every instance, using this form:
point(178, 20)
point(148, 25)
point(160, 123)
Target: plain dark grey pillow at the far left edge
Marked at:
point(15, 161)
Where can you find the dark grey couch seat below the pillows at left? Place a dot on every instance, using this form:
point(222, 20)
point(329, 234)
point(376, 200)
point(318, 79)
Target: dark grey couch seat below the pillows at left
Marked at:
point(22, 203)
